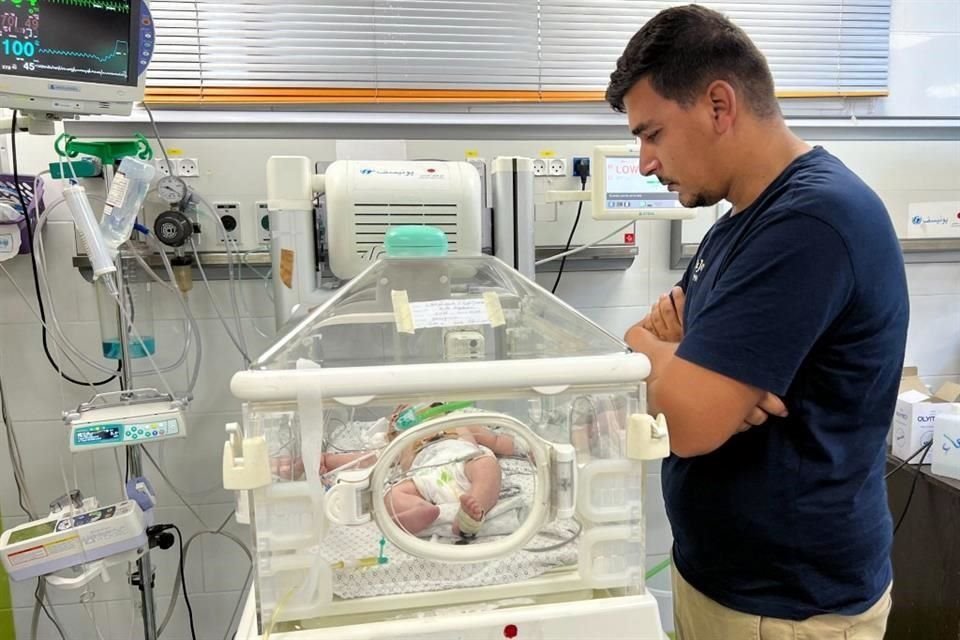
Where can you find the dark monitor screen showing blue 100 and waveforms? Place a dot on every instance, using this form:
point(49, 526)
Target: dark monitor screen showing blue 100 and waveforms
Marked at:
point(92, 41)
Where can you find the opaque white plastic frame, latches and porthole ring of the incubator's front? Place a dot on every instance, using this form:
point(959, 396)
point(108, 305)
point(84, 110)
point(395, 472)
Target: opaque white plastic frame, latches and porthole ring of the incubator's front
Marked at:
point(561, 489)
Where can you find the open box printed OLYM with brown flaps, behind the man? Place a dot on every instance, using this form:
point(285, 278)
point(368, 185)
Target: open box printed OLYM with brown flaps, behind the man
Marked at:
point(916, 413)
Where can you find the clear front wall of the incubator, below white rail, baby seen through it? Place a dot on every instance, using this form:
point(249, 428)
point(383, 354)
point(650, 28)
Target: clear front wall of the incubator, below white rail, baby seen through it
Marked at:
point(474, 485)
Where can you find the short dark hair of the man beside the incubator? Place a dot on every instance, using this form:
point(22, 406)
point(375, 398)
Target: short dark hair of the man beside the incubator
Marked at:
point(683, 49)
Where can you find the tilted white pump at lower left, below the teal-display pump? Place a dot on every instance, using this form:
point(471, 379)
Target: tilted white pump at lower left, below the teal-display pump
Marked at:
point(71, 537)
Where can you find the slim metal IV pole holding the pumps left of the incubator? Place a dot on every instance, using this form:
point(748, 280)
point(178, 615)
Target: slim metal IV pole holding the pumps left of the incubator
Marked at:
point(143, 578)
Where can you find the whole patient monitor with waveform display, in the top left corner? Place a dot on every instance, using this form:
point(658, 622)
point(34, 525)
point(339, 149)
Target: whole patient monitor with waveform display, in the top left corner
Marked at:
point(70, 58)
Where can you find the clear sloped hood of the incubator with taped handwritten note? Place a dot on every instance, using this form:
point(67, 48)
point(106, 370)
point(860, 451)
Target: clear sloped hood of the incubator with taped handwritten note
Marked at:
point(449, 309)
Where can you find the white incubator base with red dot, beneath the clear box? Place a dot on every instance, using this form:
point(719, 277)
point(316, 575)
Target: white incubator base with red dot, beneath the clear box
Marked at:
point(636, 617)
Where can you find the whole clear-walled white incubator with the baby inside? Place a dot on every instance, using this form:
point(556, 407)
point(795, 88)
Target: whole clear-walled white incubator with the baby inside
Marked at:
point(344, 418)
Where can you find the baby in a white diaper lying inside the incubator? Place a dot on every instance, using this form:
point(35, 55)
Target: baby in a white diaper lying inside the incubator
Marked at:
point(447, 467)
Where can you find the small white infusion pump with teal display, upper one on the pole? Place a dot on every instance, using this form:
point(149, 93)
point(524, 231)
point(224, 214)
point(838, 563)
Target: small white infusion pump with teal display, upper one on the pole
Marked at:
point(125, 418)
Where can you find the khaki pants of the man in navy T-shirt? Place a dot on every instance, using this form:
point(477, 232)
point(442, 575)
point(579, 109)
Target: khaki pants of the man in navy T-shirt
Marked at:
point(697, 617)
